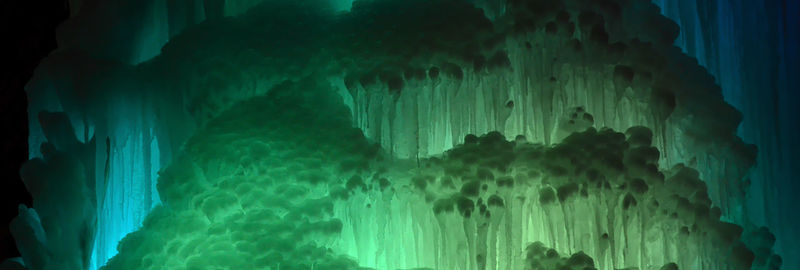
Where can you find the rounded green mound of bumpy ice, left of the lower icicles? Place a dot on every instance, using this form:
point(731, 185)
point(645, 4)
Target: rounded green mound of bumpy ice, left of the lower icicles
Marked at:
point(252, 192)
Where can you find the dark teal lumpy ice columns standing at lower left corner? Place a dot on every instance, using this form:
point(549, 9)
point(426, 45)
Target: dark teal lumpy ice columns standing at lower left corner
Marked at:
point(58, 232)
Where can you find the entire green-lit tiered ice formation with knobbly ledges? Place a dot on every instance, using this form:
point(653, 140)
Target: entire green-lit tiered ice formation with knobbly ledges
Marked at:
point(268, 173)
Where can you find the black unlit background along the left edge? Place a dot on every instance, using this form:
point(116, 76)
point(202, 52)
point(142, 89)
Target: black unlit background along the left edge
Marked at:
point(27, 29)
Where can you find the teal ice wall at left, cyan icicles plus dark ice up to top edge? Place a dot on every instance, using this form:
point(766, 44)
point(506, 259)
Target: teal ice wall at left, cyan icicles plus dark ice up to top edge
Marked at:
point(132, 143)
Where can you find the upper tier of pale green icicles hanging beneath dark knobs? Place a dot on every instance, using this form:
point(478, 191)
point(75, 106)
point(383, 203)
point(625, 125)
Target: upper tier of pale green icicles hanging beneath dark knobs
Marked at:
point(616, 60)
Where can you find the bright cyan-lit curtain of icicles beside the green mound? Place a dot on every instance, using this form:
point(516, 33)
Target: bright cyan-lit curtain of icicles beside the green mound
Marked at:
point(128, 148)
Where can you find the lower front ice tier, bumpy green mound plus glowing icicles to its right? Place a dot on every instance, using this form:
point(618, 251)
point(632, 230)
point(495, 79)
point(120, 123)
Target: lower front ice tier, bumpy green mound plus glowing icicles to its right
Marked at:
point(284, 182)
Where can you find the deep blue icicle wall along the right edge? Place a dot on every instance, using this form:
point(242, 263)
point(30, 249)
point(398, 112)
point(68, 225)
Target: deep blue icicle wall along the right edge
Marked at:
point(751, 49)
